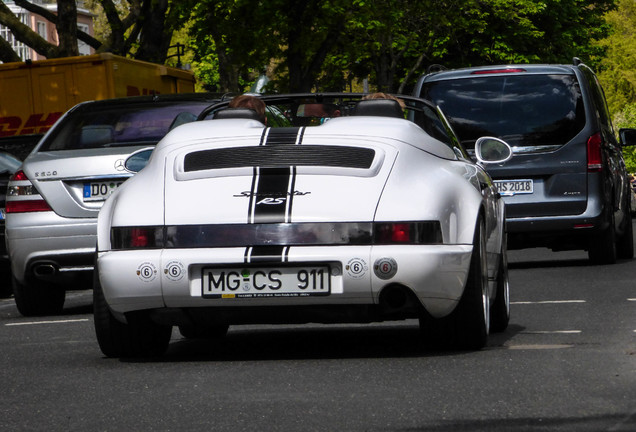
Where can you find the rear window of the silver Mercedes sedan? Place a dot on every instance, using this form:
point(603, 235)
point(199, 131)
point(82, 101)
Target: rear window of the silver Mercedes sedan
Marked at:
point(120, 125)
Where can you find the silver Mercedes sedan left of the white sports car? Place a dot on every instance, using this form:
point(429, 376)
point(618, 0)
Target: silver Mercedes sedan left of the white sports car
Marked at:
point(53, 201)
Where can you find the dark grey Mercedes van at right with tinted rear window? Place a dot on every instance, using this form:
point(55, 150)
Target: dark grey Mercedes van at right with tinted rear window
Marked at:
point(566, 186)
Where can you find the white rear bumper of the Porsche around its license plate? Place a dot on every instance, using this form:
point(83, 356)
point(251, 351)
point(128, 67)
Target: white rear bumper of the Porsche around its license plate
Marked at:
point(435, 275)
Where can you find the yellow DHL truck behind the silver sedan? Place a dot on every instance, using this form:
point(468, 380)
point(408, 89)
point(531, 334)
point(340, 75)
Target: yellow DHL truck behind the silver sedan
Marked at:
point(33, 95)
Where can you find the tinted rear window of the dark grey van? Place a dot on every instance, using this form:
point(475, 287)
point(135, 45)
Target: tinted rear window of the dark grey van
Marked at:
point(524, 110)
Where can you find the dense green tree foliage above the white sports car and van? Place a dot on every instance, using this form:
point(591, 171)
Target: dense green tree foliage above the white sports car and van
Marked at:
point(323, 45)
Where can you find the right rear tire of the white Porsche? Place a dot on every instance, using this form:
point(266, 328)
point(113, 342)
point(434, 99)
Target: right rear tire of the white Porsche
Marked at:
point(467, 327)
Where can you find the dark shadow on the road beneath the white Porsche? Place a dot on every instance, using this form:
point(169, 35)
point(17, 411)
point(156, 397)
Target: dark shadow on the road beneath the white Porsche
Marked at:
point(390, 340)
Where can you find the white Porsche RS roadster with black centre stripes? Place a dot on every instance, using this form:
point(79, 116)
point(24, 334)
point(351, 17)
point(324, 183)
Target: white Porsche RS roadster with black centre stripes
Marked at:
point(364, 217)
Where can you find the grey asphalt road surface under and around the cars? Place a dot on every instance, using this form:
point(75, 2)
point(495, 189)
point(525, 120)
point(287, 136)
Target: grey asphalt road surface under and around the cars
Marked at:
point(566, 363)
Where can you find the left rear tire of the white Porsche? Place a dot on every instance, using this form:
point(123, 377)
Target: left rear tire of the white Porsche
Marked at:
point(140, 337)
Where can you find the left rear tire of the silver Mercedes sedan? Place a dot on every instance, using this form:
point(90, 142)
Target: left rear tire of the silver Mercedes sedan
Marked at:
point(38, 299)
